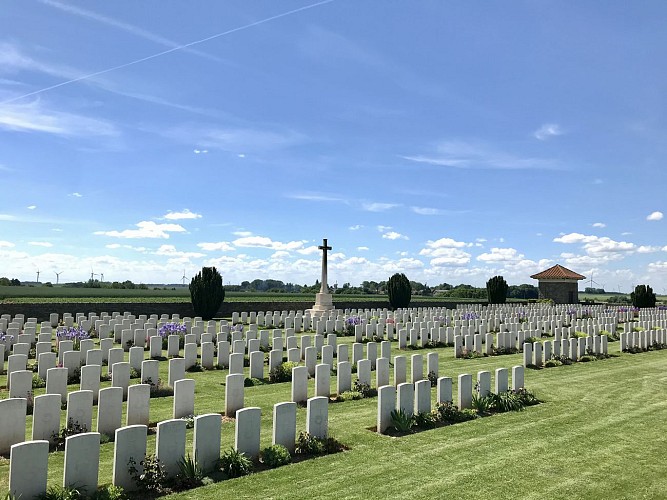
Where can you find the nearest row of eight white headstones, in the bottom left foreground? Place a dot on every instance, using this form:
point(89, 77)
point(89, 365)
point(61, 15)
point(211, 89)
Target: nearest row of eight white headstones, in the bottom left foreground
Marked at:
point(82, 451)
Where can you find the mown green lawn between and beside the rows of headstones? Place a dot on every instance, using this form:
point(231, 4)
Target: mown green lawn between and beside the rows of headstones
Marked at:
point(598, 434)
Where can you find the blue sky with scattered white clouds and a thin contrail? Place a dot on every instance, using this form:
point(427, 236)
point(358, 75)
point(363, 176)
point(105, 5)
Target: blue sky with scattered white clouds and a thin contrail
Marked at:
point(452, 141)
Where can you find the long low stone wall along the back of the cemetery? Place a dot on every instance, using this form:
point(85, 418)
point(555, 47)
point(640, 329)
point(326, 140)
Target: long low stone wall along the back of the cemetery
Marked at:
point(42, 311)
